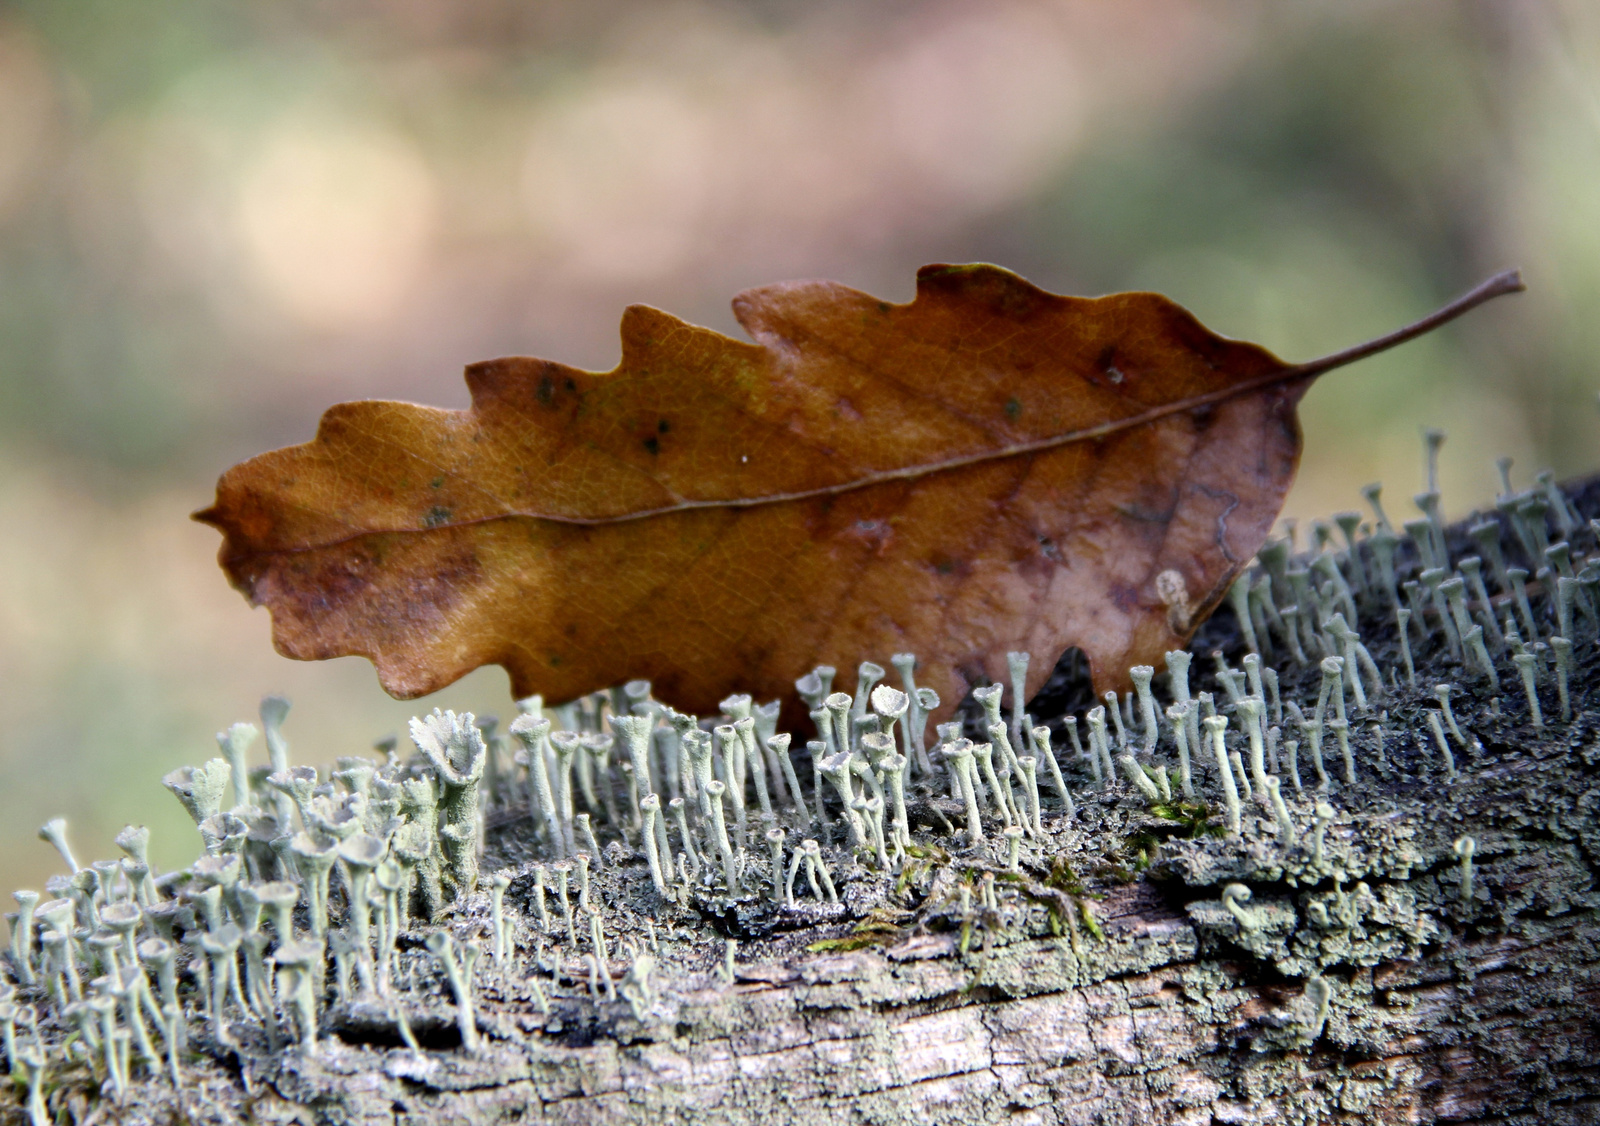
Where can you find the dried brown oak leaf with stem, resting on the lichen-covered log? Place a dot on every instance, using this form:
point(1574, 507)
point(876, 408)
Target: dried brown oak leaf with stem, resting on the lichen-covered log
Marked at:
point(988, 468)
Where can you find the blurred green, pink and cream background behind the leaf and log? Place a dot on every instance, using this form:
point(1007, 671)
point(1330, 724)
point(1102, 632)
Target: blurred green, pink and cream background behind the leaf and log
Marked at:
point(217, 218)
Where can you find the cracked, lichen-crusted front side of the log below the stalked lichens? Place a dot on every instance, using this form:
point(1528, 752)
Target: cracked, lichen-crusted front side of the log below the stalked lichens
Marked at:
point(1167, 1021)
